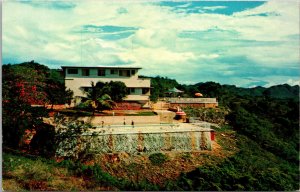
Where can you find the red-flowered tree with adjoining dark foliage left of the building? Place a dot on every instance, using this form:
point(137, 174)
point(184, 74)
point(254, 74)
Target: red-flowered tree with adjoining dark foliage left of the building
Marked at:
point(24, 85)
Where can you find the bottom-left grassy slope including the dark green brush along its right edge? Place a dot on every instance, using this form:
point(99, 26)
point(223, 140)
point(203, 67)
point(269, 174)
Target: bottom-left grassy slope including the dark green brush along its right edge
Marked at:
point(29, 173)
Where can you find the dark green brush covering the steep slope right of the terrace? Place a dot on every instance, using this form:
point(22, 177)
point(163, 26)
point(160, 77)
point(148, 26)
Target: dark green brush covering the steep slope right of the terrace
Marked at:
point(268, 141)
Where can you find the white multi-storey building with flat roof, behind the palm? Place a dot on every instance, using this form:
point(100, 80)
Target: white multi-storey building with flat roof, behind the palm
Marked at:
point(79, 78)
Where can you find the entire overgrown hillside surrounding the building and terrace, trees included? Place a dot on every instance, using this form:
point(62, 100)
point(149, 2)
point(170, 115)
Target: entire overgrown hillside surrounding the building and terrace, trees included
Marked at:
point(257, 142)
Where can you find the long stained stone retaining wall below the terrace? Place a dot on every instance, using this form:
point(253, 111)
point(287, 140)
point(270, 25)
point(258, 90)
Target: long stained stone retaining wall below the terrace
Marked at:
point(141, 142)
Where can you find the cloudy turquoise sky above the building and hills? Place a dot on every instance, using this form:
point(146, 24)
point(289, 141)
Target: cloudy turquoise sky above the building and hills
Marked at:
point(243, 43)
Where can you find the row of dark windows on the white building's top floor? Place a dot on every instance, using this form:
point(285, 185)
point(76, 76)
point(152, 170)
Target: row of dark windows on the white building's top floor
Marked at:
point(101, 72)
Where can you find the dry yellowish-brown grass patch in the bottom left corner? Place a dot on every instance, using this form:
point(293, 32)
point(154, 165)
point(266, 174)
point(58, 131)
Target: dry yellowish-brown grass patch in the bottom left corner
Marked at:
point(33, 173)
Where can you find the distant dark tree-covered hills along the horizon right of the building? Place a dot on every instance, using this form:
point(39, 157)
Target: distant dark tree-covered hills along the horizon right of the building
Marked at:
point(211, 89)
